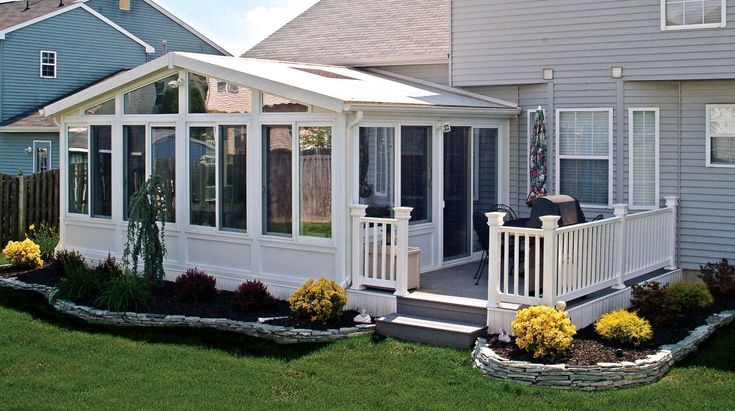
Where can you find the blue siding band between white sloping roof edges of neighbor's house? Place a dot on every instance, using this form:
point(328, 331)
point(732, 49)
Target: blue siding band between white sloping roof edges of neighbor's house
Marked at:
point(153, 27)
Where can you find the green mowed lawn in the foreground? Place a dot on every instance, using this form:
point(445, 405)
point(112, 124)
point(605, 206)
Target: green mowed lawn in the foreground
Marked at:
point(49, 362)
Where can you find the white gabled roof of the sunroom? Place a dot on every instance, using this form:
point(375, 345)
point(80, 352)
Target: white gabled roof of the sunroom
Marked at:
point(331, 87)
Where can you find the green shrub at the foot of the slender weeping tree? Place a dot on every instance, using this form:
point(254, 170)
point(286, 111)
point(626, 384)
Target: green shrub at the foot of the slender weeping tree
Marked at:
point(126, 292)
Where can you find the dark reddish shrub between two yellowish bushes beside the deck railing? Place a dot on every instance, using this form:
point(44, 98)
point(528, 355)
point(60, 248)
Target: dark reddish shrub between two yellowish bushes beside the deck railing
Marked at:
point(653, 302)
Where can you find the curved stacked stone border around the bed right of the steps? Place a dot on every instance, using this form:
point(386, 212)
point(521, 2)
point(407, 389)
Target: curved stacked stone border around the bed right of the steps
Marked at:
point(603, 376)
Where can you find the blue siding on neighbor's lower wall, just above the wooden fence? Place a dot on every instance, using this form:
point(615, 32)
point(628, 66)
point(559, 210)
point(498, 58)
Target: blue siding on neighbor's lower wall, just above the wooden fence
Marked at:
point(13, 156)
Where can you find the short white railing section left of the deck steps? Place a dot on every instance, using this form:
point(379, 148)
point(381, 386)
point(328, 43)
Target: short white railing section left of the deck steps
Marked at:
point(380, 250)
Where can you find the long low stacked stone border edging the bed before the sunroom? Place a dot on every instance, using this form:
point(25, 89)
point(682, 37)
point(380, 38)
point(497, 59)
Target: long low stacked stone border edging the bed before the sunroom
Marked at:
point(276, 333)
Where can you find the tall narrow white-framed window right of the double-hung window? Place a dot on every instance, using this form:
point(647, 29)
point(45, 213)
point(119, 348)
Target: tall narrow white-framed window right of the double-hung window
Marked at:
point(643, 137)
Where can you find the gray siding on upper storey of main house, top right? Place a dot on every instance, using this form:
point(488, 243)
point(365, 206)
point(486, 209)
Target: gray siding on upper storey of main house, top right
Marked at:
point(510, 42)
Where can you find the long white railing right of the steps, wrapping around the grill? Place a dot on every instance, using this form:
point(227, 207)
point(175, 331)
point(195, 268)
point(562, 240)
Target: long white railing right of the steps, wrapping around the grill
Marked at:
point(551, 264)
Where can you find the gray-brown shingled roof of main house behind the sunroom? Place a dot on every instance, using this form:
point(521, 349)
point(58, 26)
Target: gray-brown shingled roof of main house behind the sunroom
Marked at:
point(362, 33)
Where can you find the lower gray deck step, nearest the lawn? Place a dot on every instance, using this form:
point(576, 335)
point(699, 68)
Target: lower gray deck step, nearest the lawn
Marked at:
point(430, 331)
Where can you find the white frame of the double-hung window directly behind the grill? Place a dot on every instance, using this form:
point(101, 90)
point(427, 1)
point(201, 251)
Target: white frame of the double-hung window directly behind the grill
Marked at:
point(609, 157)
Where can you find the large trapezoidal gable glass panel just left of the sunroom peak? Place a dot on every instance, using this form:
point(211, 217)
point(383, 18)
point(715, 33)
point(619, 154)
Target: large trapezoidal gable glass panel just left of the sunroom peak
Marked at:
point(161, 97)
